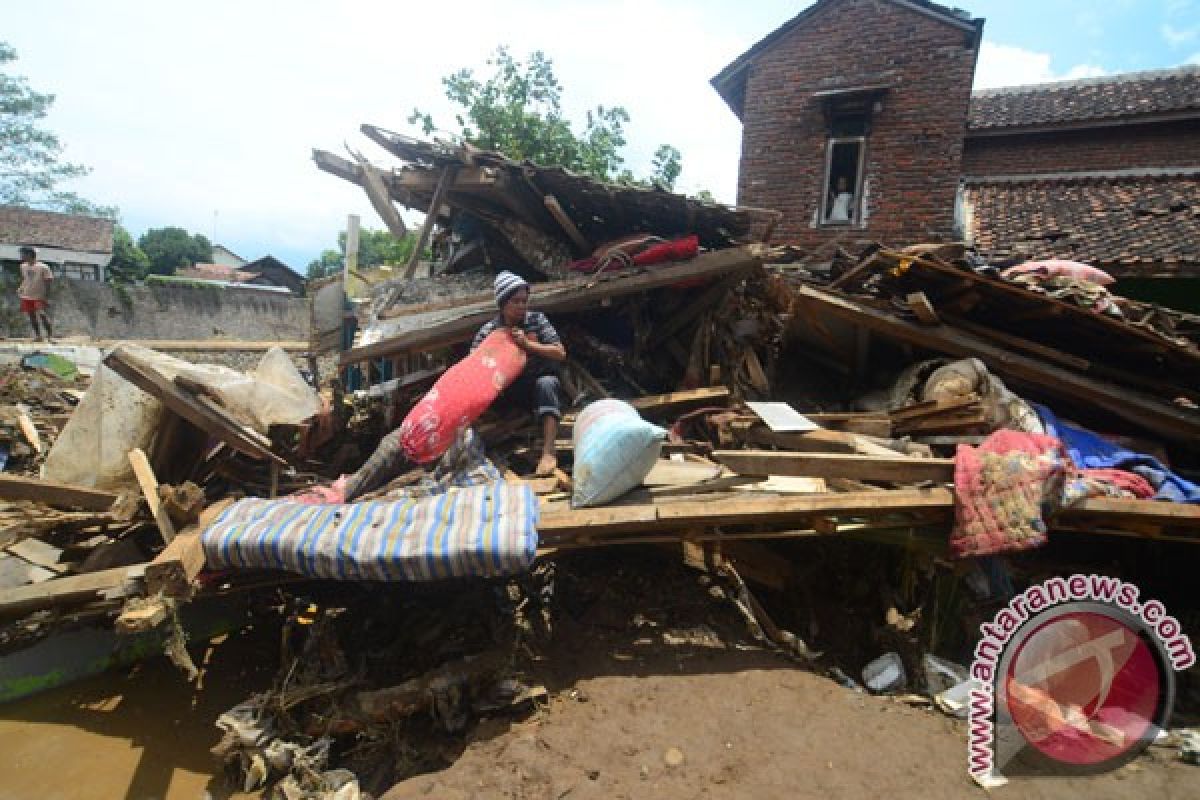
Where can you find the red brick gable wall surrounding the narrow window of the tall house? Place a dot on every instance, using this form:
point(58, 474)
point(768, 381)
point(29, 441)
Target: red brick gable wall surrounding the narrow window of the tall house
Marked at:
point(915, 148)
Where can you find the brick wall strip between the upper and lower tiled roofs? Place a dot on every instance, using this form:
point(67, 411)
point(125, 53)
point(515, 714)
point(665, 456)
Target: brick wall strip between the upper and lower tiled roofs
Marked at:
point(1167, 145)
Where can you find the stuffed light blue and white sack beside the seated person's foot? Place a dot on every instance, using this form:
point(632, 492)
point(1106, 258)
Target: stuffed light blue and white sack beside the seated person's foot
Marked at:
point(615, 449)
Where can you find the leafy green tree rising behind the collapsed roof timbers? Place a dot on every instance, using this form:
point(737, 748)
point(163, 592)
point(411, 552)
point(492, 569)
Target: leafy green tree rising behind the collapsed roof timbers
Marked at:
point(518, 112)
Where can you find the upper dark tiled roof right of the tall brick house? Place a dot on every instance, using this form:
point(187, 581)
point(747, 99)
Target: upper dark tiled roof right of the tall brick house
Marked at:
point(1135, 94)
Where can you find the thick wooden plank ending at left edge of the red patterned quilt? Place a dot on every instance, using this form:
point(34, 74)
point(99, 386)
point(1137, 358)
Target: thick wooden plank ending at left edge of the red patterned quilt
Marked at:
point(857, 467)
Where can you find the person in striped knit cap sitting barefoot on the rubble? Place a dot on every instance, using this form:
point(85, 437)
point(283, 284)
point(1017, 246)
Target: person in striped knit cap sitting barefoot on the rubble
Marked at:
point(539, 387)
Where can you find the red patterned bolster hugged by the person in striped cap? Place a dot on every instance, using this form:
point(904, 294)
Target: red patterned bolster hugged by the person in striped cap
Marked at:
point(460, 396)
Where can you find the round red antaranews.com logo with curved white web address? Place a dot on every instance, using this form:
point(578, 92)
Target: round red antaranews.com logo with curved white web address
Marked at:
point(1076, 676)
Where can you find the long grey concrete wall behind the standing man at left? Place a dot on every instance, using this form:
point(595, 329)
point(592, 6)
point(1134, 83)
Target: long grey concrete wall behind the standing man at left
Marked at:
point(163, 312)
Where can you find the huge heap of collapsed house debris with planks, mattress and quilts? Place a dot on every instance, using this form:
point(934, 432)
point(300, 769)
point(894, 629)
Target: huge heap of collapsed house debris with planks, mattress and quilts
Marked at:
point(892, 383)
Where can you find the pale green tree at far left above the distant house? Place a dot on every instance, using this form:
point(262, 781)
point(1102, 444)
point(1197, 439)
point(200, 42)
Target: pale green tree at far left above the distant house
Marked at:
point(31, 165)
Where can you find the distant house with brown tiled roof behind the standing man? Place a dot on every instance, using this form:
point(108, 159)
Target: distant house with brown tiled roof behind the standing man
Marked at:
point(74, 246)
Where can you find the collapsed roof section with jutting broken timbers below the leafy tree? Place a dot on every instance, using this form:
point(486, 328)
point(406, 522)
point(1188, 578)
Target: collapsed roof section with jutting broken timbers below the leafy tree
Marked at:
point(535, 219)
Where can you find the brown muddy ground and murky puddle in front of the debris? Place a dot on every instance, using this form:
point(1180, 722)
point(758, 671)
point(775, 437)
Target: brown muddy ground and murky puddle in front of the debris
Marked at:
point(669, 702)
